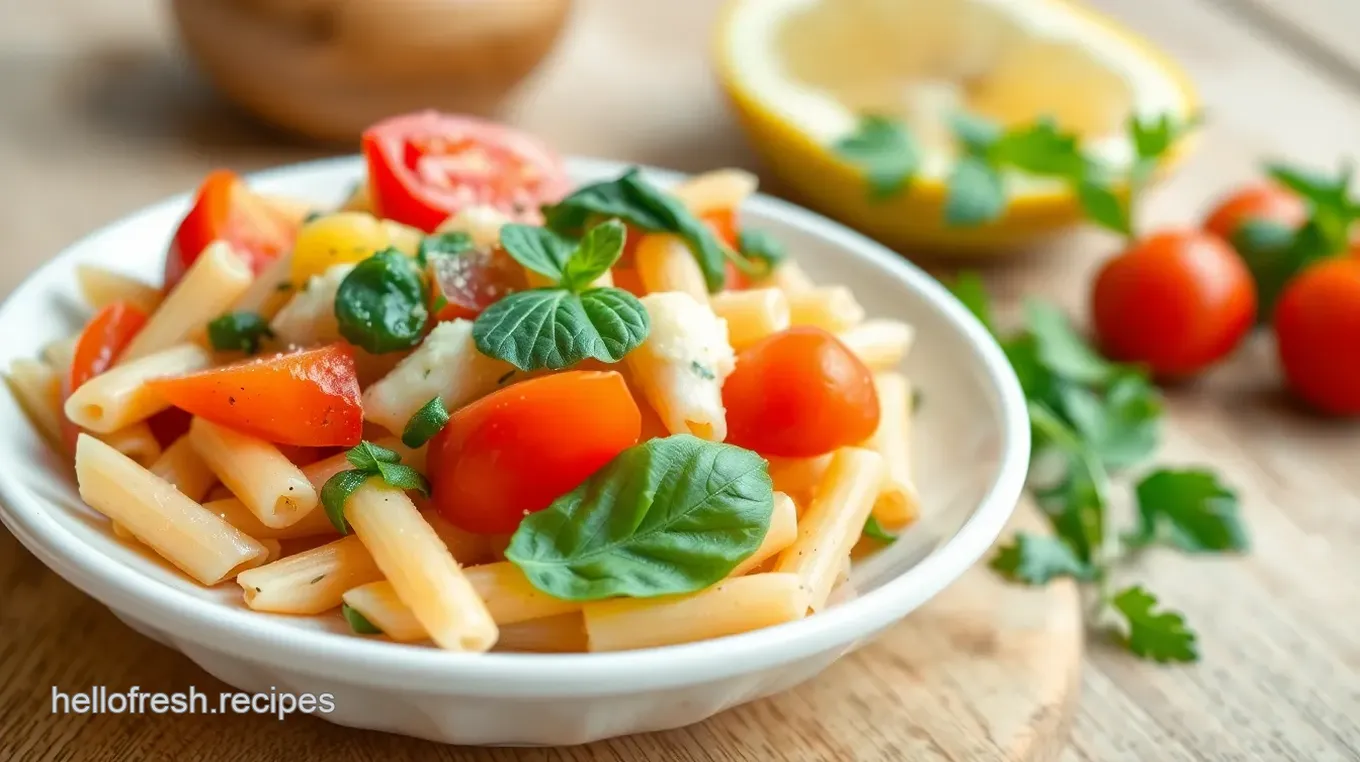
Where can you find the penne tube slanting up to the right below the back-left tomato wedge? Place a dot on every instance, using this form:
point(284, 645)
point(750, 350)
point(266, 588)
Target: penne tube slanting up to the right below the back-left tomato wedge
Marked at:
point(213, 284)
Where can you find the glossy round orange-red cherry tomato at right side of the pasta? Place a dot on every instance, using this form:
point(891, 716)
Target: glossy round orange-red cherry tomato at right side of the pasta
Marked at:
point(800, 394)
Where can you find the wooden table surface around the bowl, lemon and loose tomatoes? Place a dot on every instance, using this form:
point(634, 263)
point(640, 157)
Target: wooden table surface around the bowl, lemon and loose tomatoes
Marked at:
point(99, 118)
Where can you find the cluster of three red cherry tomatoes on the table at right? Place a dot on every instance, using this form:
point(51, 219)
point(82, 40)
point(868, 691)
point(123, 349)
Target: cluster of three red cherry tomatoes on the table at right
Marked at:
point(1181, 301)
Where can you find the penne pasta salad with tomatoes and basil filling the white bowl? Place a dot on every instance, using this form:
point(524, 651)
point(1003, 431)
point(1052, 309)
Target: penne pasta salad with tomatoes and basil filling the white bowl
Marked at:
point(481, 409)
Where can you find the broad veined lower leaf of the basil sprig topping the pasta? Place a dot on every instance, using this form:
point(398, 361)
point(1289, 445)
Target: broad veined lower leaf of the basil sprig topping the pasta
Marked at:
point(554, 329)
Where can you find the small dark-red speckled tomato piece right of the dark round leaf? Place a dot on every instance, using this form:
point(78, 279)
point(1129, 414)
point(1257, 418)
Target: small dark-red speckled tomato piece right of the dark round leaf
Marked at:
point(470, 282)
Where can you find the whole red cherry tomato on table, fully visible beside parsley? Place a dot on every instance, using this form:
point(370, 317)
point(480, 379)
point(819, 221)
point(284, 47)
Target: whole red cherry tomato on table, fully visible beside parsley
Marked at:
point(1177, 303)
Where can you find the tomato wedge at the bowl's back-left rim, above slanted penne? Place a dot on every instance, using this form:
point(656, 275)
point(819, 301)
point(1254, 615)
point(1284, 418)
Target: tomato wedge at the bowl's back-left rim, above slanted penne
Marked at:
point(225, 209)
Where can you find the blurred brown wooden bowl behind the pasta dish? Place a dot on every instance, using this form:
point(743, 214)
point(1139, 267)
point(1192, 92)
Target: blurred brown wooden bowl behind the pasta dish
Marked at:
point(328, 69)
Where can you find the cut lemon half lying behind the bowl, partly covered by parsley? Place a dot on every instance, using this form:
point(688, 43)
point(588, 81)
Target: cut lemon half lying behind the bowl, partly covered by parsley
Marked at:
point(802, 73)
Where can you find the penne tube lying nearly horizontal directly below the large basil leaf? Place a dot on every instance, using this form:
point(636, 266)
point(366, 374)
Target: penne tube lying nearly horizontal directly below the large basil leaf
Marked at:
point(734, 606)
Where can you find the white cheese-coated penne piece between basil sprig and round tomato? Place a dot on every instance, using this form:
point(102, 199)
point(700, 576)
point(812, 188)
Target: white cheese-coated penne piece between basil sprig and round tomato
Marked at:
point(682, 365)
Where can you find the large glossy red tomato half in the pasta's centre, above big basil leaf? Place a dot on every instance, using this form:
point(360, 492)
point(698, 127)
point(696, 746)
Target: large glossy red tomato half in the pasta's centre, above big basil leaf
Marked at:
point(515, 452)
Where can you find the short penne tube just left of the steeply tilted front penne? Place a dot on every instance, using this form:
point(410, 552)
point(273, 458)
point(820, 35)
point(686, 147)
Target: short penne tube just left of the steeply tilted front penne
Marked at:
point(311, 582)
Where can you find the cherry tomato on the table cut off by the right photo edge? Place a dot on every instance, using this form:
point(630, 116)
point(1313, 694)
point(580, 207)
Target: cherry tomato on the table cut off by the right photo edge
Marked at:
point(1317, 325)
